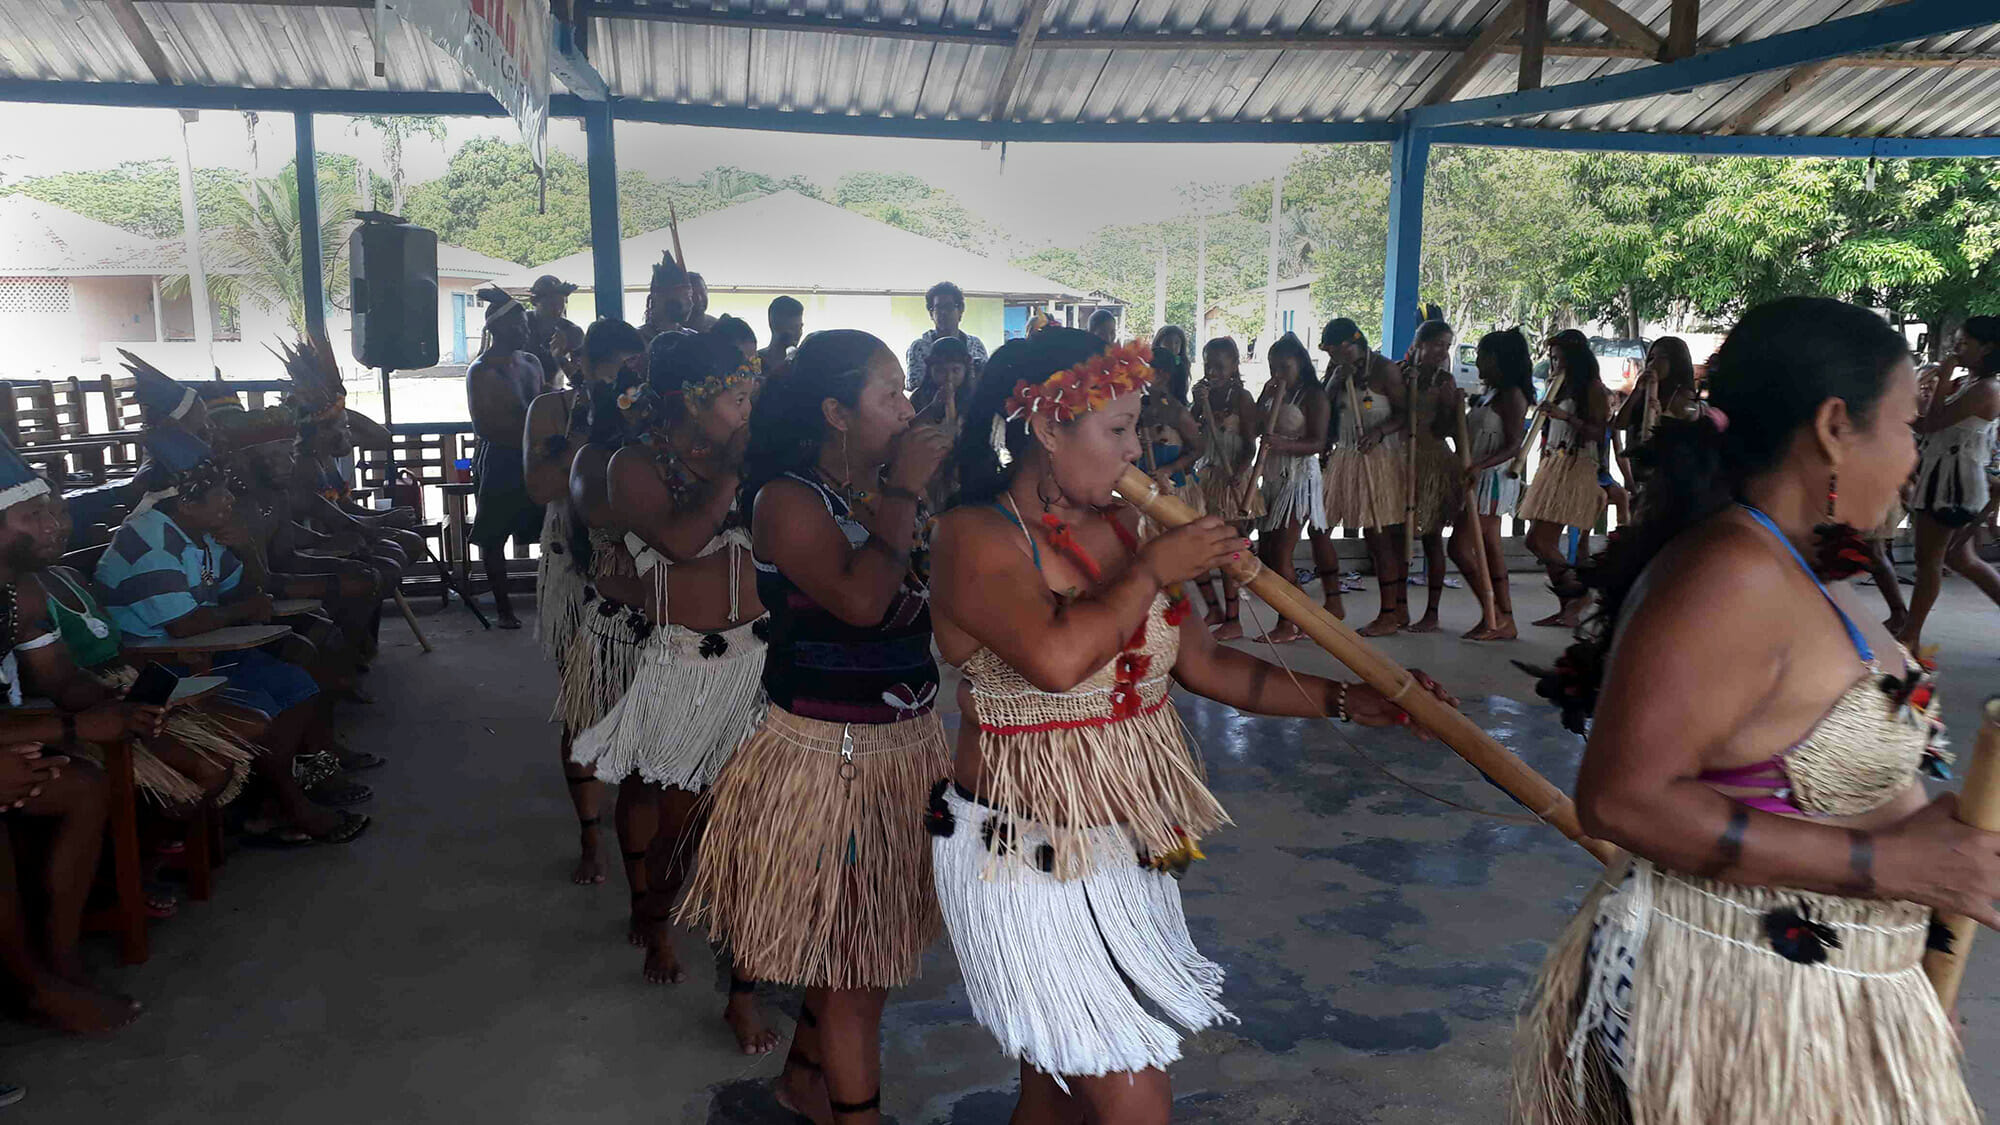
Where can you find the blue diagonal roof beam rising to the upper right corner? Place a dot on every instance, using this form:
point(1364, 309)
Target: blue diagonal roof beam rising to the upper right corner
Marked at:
point(1873, 31)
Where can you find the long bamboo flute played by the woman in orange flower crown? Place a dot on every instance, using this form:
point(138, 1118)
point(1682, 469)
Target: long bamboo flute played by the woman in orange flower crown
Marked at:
point(1465, 738)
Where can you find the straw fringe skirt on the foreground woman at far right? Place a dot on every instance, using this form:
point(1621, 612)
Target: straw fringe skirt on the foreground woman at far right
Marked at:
point(1705, 1022)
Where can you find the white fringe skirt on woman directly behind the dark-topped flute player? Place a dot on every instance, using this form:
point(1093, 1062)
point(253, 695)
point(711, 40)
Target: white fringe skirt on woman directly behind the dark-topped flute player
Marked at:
point(691, 704)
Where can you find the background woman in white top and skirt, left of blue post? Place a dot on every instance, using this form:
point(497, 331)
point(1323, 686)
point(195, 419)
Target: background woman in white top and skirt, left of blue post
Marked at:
point(1295, 415)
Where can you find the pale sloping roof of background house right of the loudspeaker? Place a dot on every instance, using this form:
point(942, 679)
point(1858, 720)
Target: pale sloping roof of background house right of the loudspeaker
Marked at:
point(755, 247)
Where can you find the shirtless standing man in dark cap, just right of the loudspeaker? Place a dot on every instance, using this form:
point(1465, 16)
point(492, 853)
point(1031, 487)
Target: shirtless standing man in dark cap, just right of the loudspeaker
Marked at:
point(499, 389)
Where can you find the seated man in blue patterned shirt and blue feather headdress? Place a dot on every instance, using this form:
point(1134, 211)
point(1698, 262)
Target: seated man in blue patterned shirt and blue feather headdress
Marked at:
point(167, 576)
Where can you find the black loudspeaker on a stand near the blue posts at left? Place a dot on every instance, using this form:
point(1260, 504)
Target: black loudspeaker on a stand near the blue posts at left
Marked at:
point(393, 275)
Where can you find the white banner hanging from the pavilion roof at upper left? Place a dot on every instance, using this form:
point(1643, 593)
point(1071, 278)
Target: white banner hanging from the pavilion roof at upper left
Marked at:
point(505, 47)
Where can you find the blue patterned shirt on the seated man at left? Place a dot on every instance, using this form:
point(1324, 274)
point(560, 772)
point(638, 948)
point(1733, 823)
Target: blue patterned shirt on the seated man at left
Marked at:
point(155, 574)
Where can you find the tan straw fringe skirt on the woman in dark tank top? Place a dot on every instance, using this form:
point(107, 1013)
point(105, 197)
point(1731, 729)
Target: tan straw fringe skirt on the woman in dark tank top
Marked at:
point(815, 866)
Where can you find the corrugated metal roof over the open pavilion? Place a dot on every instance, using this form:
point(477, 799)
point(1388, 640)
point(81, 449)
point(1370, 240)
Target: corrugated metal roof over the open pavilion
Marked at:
point(743, 55)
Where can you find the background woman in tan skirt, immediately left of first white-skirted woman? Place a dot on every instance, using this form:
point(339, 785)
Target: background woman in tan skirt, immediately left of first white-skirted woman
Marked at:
point(1229, 471)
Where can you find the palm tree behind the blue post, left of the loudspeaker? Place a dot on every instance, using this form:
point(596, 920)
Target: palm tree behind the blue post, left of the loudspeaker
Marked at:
point(257, 247)
